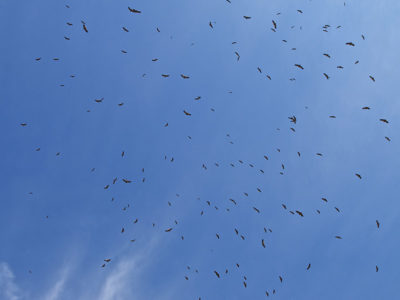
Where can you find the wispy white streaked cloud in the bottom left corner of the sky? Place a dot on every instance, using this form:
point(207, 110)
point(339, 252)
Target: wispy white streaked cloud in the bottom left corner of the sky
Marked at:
point(120, 281)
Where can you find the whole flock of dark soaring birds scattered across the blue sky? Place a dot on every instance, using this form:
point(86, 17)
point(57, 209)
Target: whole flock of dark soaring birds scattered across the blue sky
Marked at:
point(231, 203)
